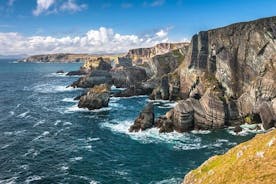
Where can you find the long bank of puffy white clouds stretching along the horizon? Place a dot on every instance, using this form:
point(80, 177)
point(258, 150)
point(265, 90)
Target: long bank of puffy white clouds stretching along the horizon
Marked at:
point(102, 40)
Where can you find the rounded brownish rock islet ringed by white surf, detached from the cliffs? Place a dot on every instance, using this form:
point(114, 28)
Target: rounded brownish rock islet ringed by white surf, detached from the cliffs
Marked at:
point(96, 98)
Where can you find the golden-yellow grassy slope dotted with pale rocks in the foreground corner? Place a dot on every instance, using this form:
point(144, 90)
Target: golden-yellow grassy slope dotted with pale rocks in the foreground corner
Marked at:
point(250, 162)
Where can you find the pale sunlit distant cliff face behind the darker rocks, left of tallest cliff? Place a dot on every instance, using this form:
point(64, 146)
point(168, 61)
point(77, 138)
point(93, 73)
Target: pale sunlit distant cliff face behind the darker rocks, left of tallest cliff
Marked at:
point(142, 55)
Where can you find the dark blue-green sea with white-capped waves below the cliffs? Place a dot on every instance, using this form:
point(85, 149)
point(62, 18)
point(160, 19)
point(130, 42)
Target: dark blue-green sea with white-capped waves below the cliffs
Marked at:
point(45, 138)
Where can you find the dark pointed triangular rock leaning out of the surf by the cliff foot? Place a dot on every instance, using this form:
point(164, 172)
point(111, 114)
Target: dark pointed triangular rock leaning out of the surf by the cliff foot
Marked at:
point(145, 119)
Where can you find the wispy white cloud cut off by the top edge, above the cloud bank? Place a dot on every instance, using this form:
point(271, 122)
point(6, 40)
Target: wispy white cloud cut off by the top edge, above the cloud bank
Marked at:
point(50, 6)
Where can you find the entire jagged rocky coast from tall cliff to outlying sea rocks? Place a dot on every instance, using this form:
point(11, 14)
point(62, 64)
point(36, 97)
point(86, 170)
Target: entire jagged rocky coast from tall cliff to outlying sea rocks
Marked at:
point(224, 77)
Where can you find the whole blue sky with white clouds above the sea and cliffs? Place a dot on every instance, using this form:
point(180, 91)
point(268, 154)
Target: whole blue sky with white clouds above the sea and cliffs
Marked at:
point(114, 26)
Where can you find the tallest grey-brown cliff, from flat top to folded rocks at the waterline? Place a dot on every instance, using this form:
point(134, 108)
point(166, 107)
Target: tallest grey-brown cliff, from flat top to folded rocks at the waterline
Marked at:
point(229, 75)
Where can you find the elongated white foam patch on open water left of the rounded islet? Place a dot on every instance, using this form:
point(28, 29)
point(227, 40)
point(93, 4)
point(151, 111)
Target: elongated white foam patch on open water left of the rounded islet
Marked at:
point(49, 88)
